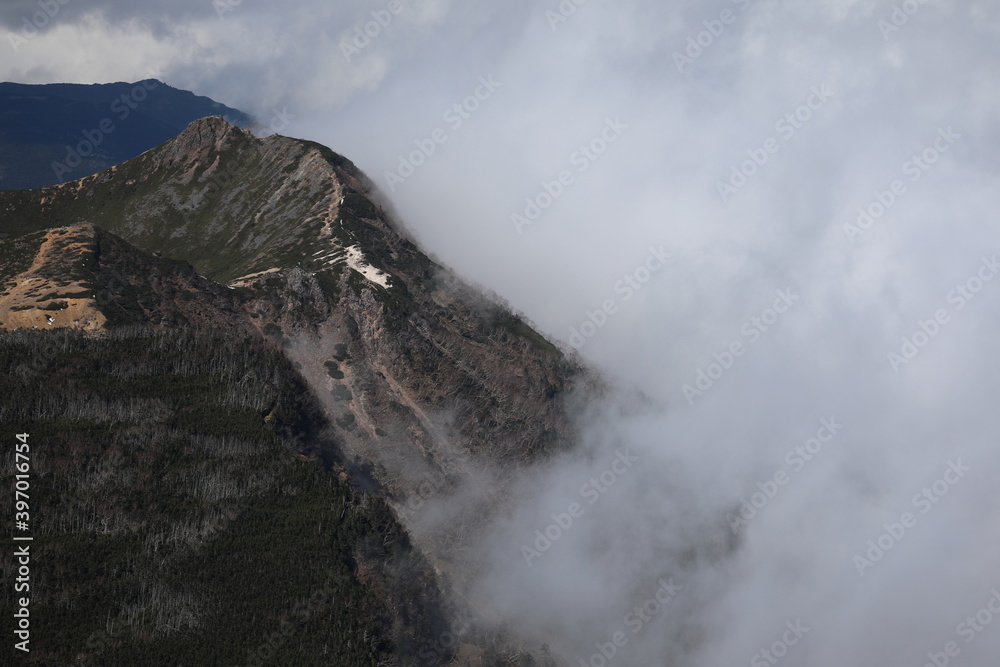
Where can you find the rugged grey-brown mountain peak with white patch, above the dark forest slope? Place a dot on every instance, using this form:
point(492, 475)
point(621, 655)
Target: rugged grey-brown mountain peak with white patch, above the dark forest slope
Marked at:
point(424, 378)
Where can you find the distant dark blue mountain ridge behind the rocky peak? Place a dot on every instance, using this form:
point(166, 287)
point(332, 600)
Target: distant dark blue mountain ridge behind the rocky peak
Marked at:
point(58, 132)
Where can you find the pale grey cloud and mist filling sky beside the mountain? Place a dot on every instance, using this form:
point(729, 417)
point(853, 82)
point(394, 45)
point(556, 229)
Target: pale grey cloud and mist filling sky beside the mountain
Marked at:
point(777, 220)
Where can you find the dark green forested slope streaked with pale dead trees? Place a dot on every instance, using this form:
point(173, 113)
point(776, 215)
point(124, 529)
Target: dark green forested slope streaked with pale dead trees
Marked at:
point(181, 515)
